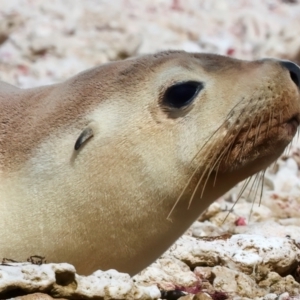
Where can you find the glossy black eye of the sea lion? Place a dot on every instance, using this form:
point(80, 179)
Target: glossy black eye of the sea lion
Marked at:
point(182, 94)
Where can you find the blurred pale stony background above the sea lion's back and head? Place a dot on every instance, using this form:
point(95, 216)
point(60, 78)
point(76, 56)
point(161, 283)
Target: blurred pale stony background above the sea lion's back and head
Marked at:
point(42, 42)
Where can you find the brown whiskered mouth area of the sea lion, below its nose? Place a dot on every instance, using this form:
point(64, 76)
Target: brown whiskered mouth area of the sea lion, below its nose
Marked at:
point(264, 137)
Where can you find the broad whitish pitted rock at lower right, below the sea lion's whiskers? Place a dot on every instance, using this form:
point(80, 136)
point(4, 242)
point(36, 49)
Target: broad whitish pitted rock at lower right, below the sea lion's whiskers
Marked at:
point(250, 254)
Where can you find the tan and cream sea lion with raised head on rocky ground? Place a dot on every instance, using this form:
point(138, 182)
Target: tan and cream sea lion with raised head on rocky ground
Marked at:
point(109, 168)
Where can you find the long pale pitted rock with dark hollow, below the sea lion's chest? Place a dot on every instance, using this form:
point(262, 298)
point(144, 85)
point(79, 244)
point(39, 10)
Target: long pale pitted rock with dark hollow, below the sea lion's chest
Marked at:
point(61, 281)
